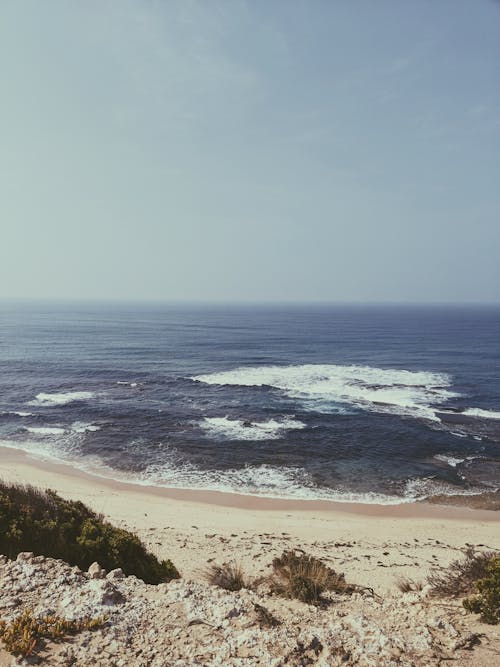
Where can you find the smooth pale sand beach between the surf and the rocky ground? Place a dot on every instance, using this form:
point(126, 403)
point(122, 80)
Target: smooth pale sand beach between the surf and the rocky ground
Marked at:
point(372, 544)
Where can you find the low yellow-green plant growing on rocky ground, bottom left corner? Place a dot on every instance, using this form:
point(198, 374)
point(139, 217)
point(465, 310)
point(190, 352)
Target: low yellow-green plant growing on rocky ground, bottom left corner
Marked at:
point(22, 635)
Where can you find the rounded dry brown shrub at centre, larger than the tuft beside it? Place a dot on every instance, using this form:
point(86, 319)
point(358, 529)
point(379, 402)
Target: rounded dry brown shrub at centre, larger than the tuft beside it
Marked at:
point(305, 578)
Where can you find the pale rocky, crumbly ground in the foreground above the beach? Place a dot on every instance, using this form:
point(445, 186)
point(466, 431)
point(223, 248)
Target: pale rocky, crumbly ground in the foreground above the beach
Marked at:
point(192, 623)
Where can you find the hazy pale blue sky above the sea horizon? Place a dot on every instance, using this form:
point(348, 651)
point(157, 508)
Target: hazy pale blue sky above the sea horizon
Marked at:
point(259, 150)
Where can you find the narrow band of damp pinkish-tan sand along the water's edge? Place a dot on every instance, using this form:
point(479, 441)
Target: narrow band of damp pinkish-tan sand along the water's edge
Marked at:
point(10, 456)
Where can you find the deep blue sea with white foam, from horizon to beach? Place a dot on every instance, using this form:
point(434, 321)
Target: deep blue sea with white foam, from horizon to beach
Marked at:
point(377, 404)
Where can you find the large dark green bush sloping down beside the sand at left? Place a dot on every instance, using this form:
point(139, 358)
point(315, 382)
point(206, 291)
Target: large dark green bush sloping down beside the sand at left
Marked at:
point(46, 524)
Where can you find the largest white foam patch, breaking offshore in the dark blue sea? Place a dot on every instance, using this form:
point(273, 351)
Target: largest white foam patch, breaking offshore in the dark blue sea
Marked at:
point(318, 386)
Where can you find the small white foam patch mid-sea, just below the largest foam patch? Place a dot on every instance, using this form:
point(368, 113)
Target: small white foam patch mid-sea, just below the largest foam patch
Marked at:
point(238, 429)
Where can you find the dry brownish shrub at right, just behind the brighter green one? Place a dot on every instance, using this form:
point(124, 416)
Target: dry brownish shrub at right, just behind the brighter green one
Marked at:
point(459, 577)
